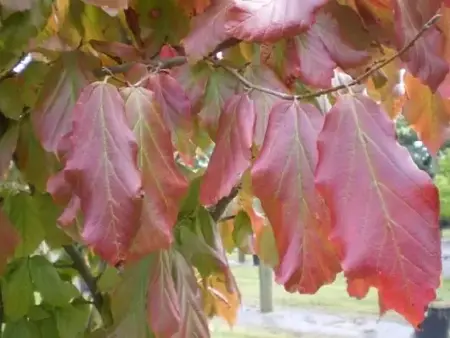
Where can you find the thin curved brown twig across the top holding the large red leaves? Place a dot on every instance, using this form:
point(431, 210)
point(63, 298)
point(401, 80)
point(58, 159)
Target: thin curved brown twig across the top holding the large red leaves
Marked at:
point(180, 60)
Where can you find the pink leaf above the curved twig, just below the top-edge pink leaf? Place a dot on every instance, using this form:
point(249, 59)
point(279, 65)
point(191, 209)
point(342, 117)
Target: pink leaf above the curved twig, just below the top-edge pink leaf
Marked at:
point(314, 55)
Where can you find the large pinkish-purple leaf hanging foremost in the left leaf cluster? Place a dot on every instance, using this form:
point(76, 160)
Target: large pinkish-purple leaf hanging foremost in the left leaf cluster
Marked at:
point(102, 170)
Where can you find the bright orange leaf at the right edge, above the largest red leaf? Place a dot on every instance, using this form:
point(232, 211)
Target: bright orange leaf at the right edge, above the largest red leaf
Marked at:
point(428, 113)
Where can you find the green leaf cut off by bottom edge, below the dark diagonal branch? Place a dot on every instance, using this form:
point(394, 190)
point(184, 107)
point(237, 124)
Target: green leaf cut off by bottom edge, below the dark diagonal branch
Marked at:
point(71, 321)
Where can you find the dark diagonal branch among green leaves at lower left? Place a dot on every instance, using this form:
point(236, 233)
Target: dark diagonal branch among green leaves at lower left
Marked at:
point(82, 268)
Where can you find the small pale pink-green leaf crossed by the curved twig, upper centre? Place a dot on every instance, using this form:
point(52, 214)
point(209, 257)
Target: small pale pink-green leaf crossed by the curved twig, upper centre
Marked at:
point(263, 76)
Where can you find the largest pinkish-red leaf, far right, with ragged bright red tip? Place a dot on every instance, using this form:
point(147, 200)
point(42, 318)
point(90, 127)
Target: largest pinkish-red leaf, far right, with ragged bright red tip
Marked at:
point(384, 210)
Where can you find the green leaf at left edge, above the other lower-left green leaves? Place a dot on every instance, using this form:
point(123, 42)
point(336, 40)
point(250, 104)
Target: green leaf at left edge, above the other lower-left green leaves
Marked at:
point(23, 212)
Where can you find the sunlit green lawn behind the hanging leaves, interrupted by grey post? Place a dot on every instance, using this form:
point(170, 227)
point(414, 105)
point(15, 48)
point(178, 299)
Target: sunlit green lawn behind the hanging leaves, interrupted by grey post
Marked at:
point(330, 298)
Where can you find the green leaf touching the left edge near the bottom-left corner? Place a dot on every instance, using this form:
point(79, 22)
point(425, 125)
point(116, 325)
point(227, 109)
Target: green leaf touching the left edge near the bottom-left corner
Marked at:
point(17, 291)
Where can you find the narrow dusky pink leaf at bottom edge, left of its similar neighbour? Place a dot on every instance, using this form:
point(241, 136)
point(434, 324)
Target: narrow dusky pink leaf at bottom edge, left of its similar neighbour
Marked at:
point(163, 308)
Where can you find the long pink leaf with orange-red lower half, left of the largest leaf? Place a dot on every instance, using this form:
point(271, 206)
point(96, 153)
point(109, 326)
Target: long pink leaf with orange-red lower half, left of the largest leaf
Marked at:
point(283, 179)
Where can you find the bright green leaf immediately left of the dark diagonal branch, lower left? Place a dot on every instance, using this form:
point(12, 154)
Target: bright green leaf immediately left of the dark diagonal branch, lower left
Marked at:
point(48, 282)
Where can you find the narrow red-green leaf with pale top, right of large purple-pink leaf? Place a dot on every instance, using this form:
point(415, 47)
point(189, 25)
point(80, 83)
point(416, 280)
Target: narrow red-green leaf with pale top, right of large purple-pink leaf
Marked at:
point(164, 186)
